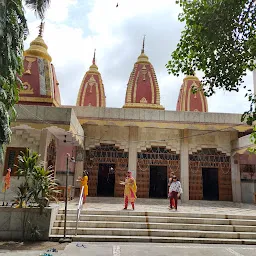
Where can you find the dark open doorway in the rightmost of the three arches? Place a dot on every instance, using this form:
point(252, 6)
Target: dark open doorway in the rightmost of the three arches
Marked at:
point(210, 184)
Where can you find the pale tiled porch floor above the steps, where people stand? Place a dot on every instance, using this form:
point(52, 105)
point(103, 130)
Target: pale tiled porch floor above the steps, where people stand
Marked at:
point(156, 205)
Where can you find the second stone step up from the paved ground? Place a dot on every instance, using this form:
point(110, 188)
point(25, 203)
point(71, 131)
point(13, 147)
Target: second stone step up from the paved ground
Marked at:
point(155, 233)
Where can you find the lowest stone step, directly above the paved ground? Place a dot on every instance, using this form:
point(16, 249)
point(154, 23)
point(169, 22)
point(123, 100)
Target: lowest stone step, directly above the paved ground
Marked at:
point(139, 239)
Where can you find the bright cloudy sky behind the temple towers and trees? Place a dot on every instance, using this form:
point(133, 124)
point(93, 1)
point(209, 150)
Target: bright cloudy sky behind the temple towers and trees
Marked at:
point(74, 28)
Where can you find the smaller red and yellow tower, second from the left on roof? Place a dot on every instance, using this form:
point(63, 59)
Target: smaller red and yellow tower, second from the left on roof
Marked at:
point(91, 91)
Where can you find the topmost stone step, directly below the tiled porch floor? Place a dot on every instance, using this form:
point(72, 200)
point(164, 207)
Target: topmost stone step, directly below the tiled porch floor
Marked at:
point(161, 214)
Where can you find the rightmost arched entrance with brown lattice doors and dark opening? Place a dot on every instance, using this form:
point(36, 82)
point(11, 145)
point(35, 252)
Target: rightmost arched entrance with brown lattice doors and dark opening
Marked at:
point(208, 165)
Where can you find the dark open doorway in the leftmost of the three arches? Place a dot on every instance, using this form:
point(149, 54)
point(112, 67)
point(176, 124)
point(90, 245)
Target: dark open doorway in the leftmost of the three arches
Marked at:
point(106, 180)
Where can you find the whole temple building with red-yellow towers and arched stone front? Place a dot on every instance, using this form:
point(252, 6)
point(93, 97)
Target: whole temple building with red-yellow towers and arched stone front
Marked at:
point(207, 151)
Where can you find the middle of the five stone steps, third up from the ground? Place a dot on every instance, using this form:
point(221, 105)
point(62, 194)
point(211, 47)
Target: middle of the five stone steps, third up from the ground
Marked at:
point(167, 226)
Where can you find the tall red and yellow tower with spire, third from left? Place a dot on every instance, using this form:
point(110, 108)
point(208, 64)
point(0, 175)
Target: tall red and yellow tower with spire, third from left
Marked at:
point(142, 89)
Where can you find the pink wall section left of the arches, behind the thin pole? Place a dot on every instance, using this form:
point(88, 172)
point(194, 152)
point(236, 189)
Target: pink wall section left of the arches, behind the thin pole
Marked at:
point(62, 158)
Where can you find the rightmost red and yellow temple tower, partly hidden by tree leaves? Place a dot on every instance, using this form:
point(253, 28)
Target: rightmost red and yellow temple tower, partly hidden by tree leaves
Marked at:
point(188, 101)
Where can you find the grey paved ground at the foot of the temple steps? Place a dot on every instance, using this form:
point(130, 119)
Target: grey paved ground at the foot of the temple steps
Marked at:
point(120, 249)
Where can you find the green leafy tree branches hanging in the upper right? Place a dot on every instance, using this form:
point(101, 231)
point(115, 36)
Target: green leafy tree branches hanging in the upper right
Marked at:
point(219, 39)
